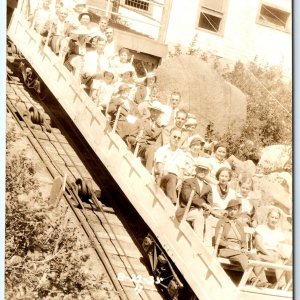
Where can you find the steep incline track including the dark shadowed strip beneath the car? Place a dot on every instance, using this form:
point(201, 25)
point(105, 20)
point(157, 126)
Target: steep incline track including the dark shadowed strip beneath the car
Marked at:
point(111, 237)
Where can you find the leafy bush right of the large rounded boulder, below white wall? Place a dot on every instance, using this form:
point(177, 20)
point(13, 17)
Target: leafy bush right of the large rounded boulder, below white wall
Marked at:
point(269, 108)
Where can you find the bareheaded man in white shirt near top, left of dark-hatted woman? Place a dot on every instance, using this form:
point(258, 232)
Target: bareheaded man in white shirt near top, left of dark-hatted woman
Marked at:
point(60, 31)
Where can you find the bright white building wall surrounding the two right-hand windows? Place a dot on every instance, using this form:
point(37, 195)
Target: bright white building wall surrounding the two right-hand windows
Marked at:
point(243, 38)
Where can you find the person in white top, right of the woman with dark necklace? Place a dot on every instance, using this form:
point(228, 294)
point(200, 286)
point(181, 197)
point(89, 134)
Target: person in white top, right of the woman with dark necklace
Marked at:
point(245, 186)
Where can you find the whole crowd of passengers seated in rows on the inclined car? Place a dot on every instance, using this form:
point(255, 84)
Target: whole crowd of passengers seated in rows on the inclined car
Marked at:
point(164, 136)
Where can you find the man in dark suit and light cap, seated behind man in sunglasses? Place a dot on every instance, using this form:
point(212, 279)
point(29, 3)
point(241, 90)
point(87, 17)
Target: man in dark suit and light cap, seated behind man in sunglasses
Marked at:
point(149, 140)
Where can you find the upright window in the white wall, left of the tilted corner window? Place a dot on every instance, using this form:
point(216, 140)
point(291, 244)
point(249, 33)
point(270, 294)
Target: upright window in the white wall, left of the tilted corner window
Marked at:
point(212, 16)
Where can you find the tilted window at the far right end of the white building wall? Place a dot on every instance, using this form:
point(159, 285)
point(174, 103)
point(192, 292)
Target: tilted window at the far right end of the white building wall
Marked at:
point(274, 17)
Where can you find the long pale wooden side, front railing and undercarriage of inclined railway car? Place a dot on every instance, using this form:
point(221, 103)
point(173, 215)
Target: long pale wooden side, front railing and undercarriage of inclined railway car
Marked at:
point(170, 243)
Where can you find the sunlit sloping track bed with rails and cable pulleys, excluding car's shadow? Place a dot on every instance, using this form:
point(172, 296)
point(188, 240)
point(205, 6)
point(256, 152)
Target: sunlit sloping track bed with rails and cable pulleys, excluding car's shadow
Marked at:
point(112, 243)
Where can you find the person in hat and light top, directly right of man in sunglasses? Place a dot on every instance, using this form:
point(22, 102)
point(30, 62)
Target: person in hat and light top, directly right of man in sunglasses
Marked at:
point(194, 156)
